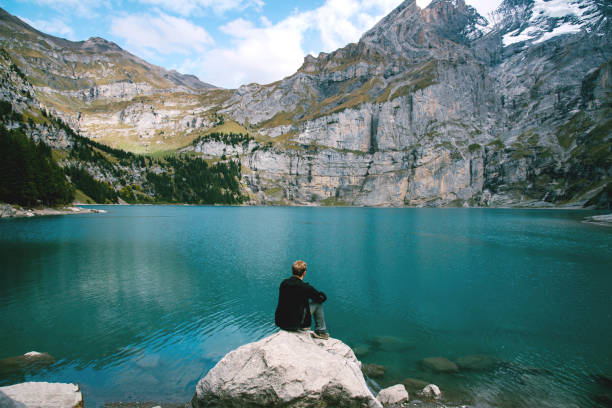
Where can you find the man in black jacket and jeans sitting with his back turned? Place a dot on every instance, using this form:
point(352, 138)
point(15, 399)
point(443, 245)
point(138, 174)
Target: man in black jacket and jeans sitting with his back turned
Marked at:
point(294, 310)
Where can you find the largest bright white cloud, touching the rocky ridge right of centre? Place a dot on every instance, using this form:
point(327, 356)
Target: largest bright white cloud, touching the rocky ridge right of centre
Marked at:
point(270, 52)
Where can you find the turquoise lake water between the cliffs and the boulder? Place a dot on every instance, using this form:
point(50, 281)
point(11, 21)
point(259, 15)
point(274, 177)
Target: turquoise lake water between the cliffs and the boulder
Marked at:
point(139, 303)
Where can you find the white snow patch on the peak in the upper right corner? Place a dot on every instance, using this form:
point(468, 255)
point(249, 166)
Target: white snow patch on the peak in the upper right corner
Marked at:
point(551, 18)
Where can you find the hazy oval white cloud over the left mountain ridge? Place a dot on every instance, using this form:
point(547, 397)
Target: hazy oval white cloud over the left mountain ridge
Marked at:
point(160, 33)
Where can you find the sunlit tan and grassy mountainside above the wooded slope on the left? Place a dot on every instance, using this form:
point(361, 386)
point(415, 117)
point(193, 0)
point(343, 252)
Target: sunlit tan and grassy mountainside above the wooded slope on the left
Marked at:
point(107, 93)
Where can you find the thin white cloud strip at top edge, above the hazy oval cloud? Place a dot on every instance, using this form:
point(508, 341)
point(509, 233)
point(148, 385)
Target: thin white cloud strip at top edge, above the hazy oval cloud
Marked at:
point(190, 7)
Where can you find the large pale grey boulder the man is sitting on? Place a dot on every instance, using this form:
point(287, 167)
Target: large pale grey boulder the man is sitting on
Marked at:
point(286, 369)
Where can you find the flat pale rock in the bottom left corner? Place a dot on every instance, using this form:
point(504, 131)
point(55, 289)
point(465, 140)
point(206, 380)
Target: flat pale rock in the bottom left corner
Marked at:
point(41, 395)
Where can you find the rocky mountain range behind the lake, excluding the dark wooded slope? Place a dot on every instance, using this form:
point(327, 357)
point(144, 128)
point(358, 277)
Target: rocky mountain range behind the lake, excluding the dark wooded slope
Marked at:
point(432, 107)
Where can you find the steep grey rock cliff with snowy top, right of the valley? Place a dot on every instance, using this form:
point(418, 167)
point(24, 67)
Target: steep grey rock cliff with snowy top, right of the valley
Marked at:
point(440, 107)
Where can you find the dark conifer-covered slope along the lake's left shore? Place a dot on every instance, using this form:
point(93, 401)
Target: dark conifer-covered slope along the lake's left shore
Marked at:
point(45, 162)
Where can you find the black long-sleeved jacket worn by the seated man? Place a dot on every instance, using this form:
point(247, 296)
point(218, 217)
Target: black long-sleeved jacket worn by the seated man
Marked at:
point(293, 311)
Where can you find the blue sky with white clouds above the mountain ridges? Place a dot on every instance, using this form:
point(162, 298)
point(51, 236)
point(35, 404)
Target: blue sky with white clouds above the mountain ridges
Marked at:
point(227, 43)
